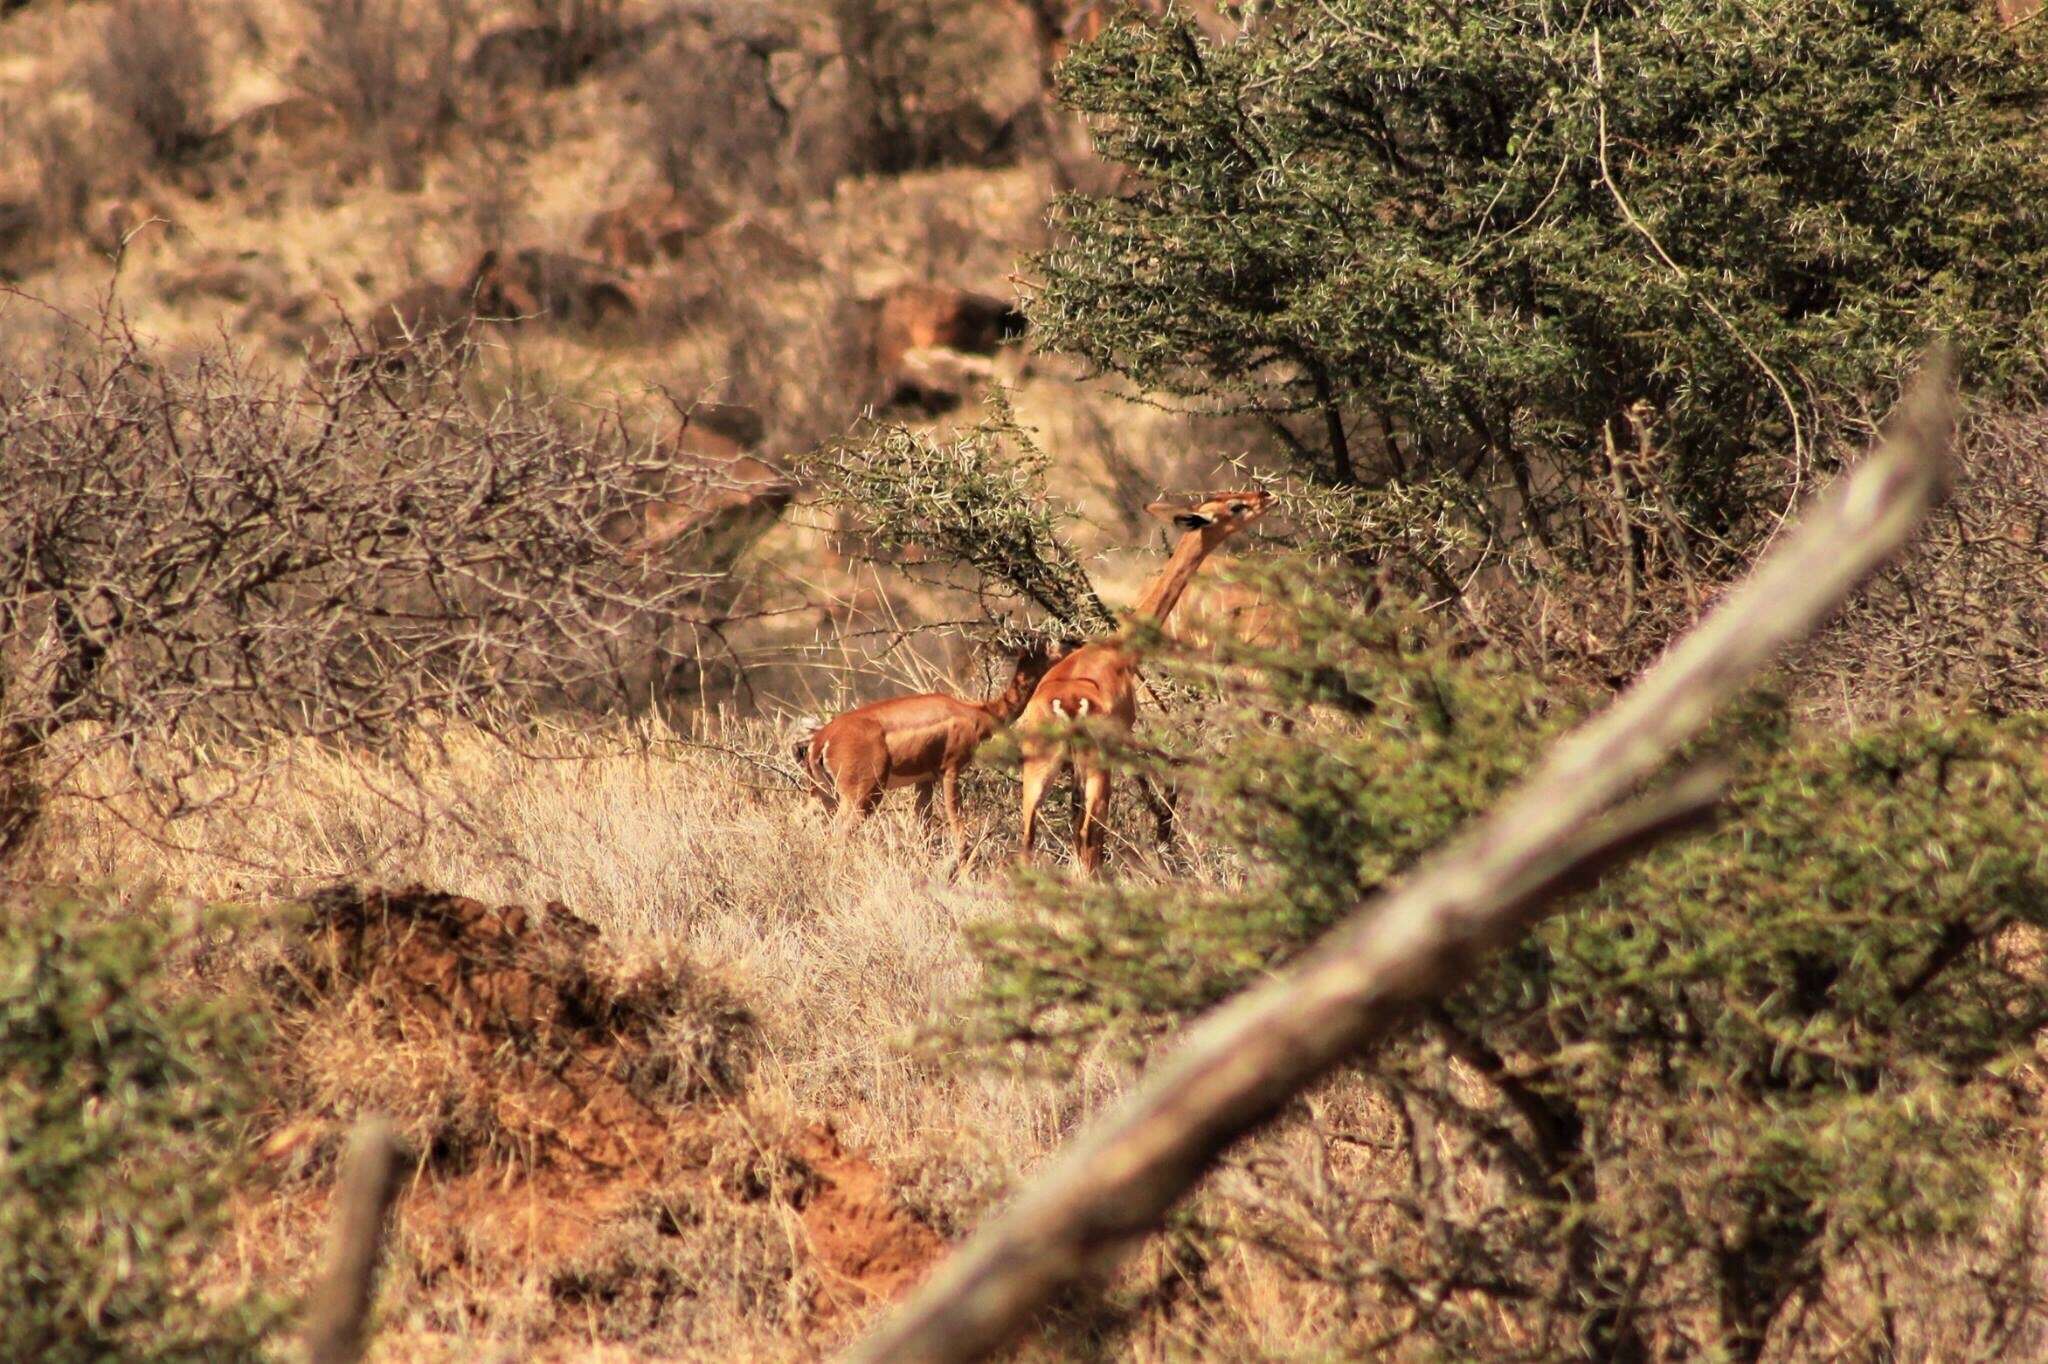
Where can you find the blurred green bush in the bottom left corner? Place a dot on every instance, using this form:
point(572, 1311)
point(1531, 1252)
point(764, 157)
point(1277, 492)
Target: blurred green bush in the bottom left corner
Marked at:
point(118, 1107)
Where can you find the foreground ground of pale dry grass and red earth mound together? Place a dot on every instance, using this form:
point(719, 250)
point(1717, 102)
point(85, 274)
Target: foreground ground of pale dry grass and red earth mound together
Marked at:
point(808, 1164)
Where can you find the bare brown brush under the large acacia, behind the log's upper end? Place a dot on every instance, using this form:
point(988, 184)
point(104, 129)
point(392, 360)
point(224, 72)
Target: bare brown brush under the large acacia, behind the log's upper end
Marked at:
point(1961, 615)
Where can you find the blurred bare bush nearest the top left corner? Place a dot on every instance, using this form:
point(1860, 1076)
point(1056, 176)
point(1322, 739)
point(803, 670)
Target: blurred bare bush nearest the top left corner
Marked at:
point(157, 75)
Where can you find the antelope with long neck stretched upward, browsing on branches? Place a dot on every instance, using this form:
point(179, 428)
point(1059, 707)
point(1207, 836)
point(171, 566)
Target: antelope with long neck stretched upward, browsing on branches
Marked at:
point(1101, 679)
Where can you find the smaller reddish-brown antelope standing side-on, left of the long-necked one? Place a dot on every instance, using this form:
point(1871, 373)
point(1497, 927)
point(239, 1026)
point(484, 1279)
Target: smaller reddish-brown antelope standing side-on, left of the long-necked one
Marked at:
point(919, 742)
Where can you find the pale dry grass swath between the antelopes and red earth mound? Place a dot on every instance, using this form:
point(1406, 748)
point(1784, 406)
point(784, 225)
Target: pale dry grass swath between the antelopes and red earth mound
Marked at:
point(841, 947)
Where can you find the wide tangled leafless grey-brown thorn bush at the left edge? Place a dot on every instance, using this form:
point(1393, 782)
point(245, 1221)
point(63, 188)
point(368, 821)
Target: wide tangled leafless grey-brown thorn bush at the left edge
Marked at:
point(206, 556)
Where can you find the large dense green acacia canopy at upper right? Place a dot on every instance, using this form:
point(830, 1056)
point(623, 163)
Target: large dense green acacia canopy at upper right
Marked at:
point(1410, 216)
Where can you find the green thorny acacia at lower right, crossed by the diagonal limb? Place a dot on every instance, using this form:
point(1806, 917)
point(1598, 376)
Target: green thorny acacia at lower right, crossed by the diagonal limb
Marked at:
point(1703, 1093)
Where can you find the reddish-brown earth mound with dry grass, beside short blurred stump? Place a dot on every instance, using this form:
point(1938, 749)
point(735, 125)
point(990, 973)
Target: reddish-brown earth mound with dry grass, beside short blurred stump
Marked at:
point(577, 1123)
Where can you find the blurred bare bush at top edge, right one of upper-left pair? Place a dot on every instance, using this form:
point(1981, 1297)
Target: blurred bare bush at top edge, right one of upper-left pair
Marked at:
point(390, 69)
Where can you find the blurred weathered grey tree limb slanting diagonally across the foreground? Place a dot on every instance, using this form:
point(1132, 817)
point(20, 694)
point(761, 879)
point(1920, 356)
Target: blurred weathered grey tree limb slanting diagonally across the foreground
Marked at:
point(1242, 1064)
